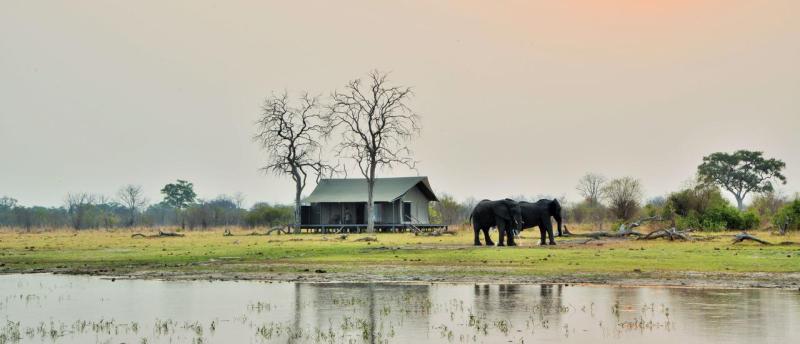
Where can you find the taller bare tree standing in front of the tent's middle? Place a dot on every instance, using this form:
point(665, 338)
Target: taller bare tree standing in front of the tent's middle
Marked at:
point(377, 125)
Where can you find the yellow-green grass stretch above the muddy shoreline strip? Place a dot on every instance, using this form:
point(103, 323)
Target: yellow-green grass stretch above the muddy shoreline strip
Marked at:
point(116, 252)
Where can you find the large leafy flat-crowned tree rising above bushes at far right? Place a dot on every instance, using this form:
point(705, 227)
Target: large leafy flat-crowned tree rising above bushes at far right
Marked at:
point(741, 172)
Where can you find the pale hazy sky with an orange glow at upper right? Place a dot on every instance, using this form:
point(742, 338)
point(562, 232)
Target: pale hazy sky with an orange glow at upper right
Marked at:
point(516, 97)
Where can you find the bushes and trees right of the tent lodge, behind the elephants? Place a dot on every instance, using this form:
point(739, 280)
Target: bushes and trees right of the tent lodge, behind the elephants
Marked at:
point(698, 206)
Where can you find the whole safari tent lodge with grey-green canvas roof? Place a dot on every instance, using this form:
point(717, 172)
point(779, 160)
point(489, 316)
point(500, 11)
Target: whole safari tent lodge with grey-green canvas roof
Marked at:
point(400, 204)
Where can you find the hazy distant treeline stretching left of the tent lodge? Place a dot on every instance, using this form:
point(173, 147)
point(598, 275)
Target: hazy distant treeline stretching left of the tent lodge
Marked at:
point(88, 211)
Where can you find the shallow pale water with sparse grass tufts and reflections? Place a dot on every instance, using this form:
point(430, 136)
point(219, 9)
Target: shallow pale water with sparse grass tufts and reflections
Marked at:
point(44, 308)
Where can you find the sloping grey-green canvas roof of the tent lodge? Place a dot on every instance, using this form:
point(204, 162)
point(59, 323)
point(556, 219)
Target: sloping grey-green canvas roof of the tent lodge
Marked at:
point(355, 190)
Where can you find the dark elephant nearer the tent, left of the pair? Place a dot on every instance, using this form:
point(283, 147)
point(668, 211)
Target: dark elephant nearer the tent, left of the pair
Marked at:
point(505, 214)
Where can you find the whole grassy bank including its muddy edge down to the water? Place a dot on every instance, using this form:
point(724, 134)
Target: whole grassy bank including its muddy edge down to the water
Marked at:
point(711, 261)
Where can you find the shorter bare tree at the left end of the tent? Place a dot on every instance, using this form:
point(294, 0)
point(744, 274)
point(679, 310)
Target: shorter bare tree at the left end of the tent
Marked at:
point(291, 136)
